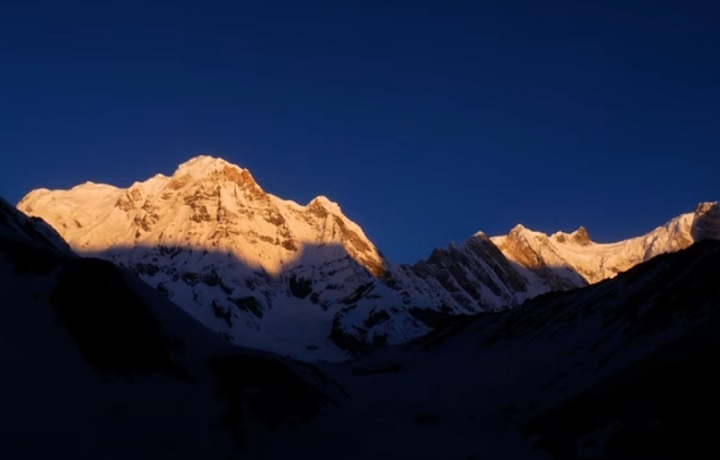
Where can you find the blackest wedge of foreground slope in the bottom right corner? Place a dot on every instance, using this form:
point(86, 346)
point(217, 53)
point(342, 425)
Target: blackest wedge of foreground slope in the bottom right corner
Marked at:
point(663, 407)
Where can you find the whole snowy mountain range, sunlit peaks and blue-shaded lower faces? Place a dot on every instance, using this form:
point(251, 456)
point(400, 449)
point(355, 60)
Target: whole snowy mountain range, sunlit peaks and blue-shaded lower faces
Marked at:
point(304, 279)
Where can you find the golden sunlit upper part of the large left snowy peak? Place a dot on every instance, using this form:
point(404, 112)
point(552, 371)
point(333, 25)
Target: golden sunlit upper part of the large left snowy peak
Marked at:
point(207, 204)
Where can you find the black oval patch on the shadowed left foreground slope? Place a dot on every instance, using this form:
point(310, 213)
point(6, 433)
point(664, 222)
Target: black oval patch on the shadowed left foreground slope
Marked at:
point(112, 327)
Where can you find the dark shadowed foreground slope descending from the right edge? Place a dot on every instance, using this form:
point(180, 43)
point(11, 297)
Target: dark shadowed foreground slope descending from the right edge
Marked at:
point(619, 369)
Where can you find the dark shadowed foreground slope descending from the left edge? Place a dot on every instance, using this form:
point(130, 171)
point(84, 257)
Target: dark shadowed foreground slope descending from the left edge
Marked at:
point(96, 364)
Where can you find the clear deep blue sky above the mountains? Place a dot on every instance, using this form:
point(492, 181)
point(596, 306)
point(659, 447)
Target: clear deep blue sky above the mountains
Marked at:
point(426, 121)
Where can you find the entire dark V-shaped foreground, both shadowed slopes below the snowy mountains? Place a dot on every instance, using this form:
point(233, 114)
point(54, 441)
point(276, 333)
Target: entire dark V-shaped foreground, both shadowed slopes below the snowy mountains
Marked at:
point(97, 364)
